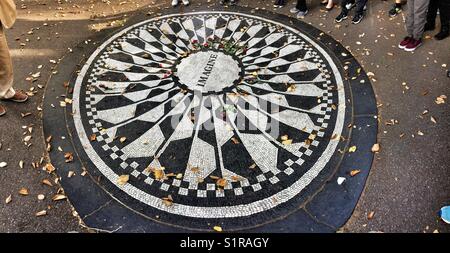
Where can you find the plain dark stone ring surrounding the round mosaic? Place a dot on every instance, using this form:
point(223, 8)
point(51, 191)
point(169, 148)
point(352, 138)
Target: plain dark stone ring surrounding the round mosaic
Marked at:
point(324, 210)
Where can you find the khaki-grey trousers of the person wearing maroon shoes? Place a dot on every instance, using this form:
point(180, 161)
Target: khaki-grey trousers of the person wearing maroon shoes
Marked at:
point(416, 17)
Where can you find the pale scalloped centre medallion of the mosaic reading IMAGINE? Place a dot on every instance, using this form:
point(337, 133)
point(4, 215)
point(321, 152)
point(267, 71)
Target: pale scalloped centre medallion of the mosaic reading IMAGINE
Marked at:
point(208, 71)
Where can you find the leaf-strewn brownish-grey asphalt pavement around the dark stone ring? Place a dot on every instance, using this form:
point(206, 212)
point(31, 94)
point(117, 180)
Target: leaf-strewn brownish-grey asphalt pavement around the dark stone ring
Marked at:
point(406, 187)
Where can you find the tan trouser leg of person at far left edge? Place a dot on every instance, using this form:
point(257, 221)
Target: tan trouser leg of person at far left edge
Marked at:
point(6, 70)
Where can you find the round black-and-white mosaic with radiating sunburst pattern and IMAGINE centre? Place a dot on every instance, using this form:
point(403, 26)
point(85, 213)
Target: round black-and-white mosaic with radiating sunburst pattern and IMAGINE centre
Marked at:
point(211, 115)
